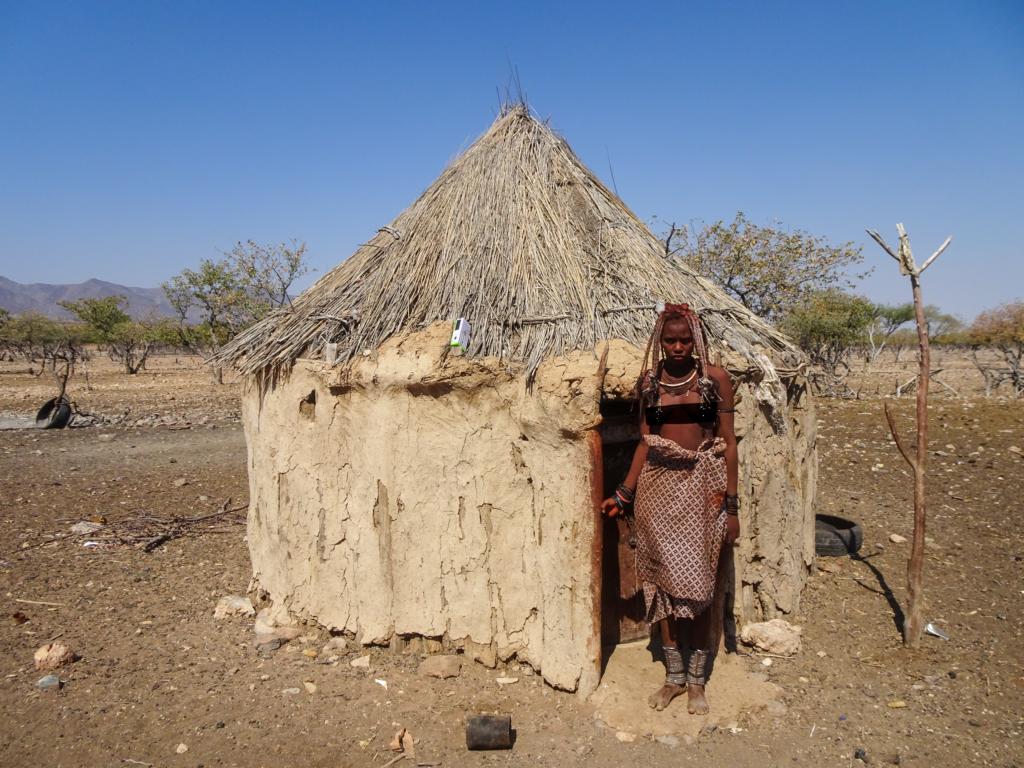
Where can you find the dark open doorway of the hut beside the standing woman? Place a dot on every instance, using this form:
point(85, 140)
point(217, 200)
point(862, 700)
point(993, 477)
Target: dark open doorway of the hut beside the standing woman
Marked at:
point(622, 601)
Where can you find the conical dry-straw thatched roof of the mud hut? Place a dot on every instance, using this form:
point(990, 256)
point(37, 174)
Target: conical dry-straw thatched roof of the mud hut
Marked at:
point(520, 238)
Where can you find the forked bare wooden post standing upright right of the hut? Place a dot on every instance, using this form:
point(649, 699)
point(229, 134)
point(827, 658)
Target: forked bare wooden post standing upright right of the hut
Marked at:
point(915, 570)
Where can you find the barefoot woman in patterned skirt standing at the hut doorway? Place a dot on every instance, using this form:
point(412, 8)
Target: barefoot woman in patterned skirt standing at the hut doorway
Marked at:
point(684, 485)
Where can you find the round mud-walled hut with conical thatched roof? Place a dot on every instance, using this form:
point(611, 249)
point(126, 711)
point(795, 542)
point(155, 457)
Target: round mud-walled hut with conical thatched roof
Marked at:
point(406, 494)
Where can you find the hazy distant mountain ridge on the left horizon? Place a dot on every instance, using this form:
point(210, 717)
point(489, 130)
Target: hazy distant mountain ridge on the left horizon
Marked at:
point(44, 297)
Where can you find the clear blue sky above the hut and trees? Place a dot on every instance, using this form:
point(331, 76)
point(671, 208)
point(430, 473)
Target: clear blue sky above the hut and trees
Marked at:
point(139, 138)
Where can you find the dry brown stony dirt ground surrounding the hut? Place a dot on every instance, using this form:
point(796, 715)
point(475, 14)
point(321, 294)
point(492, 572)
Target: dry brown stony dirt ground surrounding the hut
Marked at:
point(158, 671)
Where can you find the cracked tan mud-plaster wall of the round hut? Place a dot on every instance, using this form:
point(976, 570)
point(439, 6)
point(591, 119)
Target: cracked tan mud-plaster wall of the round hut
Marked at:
point(433, 496)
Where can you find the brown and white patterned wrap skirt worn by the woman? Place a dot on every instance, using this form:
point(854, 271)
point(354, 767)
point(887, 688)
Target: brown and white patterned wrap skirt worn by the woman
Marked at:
point(680, 527)
